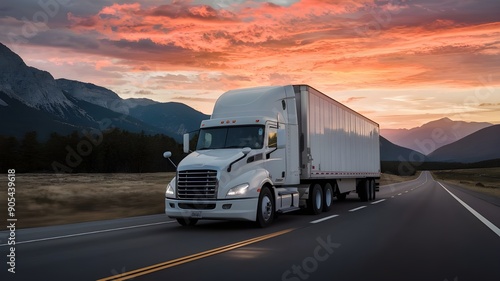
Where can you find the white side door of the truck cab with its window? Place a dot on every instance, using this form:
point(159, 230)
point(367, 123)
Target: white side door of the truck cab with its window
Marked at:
point(275, 162)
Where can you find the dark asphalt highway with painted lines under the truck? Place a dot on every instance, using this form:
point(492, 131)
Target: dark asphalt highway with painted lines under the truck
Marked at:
point(417, 230)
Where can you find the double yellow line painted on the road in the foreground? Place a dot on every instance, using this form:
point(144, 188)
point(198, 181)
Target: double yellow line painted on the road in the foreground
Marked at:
point(190, 258)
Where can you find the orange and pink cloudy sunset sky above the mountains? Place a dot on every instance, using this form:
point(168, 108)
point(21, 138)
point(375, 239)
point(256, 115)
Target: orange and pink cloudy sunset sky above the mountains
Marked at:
point(402, 63)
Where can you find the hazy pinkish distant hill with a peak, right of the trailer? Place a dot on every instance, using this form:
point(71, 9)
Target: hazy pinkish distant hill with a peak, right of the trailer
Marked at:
point(433, 135)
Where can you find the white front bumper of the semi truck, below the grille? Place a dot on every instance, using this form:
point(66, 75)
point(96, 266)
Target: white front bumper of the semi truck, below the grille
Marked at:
point(233, 209)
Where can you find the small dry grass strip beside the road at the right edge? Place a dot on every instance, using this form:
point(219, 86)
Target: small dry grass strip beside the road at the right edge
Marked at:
point(485, 180)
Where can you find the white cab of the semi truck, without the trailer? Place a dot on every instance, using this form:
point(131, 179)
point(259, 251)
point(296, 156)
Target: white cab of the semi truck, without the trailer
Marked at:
point(245, 166)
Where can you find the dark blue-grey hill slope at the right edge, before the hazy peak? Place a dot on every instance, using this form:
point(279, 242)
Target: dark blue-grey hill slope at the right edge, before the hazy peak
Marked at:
point(480, 146)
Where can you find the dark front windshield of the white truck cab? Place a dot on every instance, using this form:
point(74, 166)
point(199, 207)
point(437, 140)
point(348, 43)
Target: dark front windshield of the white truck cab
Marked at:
point(231, 137)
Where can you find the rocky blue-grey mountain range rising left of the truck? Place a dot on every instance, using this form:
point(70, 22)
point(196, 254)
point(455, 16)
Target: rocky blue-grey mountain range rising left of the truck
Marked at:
point(32, 100)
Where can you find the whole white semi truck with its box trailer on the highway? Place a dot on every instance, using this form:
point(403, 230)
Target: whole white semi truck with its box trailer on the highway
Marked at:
point(271, 150)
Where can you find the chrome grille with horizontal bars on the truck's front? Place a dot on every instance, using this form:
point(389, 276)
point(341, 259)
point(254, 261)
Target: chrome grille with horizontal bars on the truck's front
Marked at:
point(197, 184)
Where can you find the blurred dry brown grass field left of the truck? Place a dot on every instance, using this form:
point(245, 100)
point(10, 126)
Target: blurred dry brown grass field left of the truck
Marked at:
point(50, 199)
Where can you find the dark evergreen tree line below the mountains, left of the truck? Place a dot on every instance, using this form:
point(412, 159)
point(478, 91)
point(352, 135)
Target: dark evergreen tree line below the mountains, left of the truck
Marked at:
point(115, 151)
